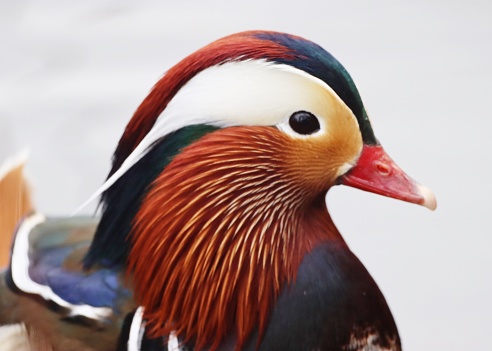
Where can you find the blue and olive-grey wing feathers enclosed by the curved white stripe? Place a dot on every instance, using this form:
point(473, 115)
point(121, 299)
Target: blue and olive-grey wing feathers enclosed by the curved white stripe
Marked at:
point(55, 251)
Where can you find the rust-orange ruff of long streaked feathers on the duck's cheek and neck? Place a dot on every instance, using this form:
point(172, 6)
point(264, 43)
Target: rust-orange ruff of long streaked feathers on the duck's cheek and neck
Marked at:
point(221, 231)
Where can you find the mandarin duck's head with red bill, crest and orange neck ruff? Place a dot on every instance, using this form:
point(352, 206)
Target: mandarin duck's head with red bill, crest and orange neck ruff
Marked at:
point(218, 182)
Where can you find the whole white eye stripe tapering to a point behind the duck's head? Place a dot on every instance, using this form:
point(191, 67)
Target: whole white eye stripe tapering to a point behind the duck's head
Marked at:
point(250, 92)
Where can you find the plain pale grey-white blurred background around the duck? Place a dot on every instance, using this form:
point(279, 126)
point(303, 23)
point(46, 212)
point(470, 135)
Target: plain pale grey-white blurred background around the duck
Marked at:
point(72, 73)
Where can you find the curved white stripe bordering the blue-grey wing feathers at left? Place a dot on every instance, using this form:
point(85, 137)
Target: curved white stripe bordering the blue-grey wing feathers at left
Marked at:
point(20, 274)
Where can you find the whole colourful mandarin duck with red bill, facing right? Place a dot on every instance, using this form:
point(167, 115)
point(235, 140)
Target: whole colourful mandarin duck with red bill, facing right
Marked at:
point(214, 232)
